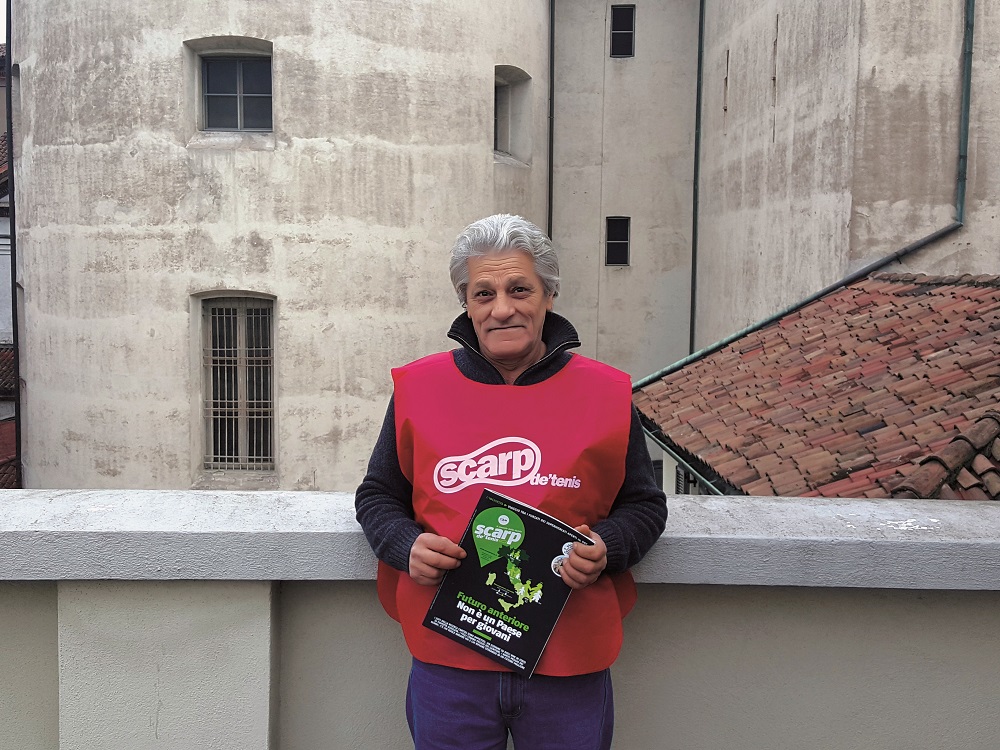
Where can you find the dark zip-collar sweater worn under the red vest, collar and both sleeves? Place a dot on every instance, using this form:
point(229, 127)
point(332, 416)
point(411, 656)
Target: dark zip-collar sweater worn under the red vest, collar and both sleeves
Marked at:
point(384, 501)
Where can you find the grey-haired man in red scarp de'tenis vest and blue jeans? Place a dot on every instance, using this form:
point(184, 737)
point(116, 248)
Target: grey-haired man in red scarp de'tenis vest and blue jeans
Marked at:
point(513, 375)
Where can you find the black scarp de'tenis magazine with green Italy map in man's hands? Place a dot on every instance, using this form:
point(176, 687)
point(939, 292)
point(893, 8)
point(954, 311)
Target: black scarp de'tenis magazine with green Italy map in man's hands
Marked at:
point(505, 598)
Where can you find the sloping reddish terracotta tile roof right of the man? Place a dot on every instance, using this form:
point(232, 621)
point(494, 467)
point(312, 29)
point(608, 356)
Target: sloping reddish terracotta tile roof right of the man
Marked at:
point(864, 392)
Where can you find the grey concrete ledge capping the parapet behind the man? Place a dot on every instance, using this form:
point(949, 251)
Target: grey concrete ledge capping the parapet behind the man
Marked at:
point(177, 535)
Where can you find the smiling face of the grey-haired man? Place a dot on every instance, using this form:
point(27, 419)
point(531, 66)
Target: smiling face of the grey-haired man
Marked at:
point(506, 301)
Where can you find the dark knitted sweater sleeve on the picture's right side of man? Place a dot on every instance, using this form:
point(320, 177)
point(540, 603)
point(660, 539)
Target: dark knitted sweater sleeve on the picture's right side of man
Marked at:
point(639, 513)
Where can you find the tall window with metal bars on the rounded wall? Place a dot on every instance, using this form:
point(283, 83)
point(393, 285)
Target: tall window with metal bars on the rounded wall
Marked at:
point(238, 381)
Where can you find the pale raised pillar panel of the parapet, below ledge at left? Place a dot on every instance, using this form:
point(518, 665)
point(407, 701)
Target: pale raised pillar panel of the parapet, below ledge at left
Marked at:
point(176, 655)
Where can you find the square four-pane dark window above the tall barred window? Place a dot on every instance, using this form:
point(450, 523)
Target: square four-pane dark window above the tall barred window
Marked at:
point(237, 93)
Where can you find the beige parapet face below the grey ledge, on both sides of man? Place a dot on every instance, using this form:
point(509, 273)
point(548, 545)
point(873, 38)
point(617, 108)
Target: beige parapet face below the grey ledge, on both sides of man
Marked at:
point(703, 667)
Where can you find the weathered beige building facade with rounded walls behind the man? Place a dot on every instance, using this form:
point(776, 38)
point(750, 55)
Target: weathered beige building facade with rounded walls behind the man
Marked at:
point(829, 139)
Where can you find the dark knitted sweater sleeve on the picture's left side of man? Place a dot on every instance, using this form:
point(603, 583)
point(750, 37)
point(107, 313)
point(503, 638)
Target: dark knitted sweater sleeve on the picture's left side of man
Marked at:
point(384, 500)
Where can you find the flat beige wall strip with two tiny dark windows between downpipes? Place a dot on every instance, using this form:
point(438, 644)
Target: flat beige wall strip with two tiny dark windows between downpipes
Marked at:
point(624, 133)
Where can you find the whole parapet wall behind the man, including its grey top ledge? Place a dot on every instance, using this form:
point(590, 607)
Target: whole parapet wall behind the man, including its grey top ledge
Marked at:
point(161, 619)
